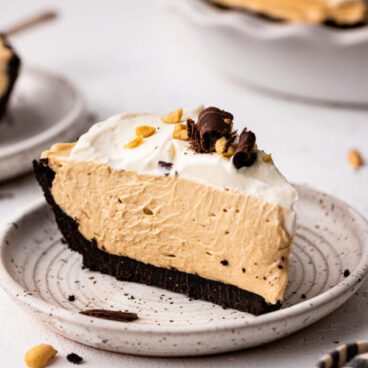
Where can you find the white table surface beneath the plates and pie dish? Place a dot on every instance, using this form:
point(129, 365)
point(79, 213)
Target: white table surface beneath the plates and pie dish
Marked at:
point(126, 56)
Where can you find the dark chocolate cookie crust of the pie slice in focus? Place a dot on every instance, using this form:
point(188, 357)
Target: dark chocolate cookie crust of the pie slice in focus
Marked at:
point(127, 269)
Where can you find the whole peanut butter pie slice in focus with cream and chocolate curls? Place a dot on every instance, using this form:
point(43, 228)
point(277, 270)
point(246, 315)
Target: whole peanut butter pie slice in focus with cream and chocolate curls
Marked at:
point(178, 201)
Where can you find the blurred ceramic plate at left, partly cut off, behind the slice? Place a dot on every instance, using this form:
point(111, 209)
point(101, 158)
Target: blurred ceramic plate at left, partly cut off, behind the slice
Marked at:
point(44, 108)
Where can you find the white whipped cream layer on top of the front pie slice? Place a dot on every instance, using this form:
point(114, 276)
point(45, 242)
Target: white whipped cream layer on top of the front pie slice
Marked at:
point(103, 143)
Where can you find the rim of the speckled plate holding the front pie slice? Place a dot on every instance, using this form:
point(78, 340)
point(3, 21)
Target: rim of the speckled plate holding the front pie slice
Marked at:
point(356, 278)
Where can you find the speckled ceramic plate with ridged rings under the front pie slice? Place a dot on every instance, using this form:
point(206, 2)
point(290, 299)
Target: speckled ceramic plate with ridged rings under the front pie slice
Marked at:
point(329, 263)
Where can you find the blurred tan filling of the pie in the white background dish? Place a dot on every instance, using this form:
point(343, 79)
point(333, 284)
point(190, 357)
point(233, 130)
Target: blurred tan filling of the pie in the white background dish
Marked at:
point(311, 11)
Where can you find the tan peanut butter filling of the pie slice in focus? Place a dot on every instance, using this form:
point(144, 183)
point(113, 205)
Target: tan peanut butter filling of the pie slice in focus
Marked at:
point(172, 222)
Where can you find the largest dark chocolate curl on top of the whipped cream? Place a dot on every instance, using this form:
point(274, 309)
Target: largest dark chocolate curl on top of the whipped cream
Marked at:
point(210, 127)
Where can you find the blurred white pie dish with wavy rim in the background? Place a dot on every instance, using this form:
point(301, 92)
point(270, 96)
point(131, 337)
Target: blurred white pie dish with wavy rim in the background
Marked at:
point(312, 62)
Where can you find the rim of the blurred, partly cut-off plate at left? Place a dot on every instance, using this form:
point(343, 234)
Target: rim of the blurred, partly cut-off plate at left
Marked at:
point(61, 125)
